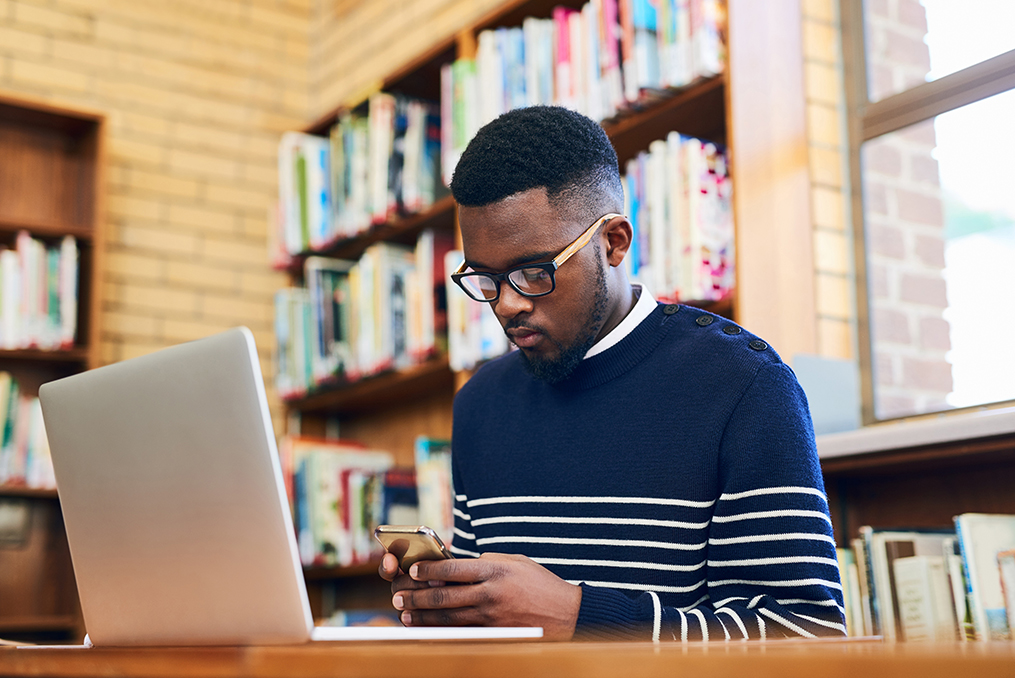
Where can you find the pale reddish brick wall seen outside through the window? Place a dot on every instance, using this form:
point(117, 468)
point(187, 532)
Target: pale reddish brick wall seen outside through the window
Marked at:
point(905, 220)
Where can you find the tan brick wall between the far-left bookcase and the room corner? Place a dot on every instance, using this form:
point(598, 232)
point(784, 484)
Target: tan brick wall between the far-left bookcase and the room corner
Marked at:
point(196, 94)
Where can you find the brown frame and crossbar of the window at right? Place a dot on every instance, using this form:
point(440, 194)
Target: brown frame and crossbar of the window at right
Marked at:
point(867, 120)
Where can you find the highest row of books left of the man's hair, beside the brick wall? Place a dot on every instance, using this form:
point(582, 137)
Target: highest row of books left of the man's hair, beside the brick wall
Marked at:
point(371, 167)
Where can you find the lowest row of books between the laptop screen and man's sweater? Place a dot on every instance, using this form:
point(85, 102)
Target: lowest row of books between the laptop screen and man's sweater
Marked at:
point(340, 492)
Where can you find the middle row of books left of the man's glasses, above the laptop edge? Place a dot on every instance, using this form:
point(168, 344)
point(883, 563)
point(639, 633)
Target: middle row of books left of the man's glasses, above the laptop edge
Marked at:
point(357, 319)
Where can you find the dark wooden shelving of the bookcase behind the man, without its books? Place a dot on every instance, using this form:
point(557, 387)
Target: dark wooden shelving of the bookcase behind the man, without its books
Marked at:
point(387, 412)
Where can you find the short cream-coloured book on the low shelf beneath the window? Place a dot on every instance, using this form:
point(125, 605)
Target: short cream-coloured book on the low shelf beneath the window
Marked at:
point(925, 604)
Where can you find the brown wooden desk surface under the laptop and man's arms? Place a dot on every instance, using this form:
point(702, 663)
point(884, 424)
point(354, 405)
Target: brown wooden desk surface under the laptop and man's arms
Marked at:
point(784, 659)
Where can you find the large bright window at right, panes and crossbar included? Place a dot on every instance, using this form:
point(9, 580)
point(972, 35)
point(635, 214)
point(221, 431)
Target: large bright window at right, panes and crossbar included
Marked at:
point(931, 95)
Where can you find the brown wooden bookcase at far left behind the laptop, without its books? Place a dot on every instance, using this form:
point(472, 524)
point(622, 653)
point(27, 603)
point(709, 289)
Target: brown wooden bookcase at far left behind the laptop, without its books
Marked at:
point(51, 178)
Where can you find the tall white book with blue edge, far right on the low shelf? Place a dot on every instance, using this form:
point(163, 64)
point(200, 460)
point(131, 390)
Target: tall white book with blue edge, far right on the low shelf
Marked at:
point(982, 537)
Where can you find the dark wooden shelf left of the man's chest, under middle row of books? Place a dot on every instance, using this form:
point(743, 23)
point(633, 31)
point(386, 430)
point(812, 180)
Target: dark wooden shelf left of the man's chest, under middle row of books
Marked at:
point(384, 390)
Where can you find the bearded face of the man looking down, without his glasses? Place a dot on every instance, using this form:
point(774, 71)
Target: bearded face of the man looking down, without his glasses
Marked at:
point(553, 332)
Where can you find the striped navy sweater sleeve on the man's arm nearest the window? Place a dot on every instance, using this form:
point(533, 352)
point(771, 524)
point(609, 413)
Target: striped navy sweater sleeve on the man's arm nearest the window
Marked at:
point(771, 568)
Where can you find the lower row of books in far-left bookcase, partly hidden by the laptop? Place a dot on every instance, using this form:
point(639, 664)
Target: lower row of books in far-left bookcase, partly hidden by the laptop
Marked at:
point(25, 451)
